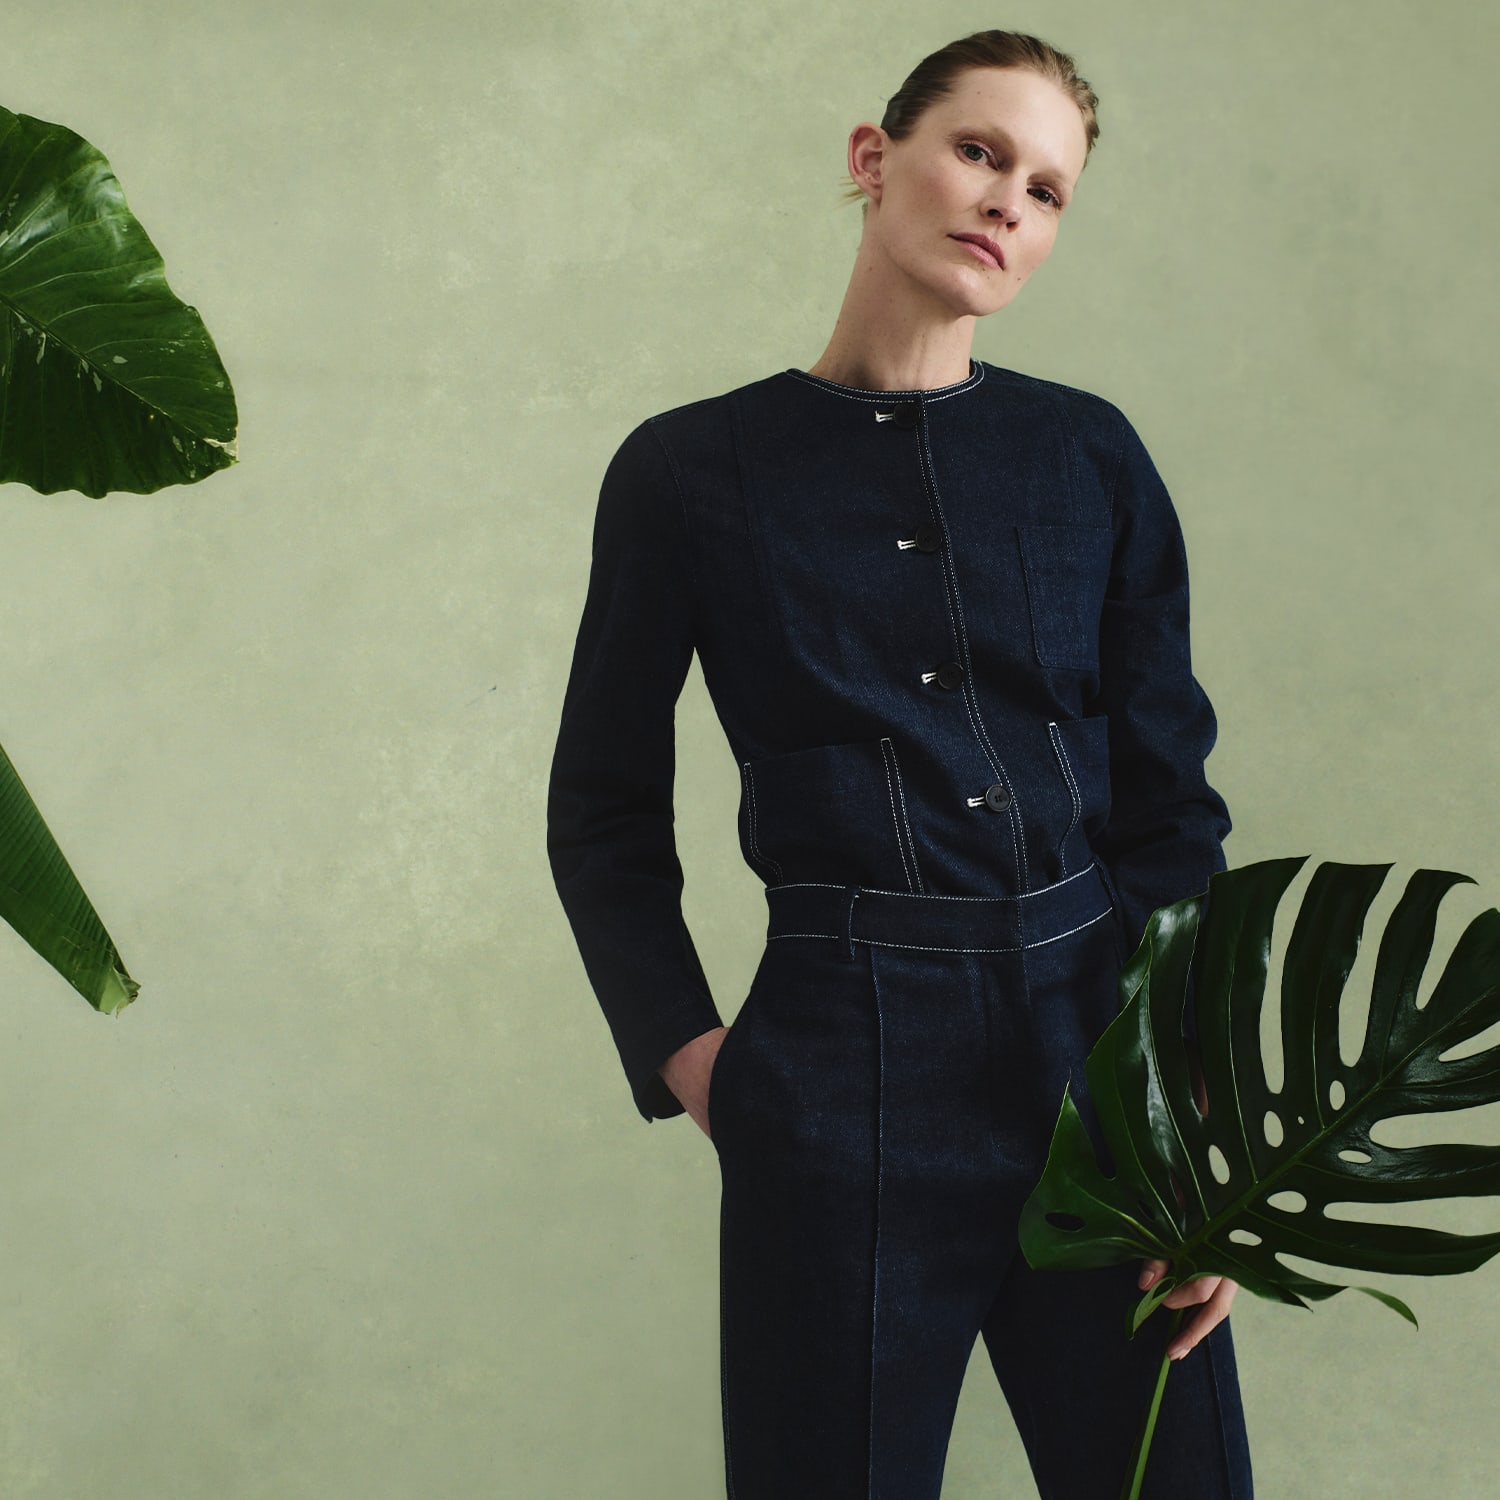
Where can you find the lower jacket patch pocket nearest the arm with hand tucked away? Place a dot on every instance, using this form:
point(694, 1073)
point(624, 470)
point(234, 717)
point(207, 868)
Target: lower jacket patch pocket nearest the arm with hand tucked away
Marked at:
point(832, 814)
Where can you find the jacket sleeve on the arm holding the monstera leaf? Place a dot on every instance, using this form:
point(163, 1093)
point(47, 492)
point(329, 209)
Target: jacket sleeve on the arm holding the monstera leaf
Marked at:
point(1166, 827)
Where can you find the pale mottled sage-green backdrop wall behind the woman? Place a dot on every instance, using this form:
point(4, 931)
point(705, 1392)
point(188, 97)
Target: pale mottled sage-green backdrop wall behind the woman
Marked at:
point(355, 1202)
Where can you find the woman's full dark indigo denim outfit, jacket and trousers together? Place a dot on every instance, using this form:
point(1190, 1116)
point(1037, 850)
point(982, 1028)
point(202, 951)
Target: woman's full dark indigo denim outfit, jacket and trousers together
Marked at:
point(947, 637)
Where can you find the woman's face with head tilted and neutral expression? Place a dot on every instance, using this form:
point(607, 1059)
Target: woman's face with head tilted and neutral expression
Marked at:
point(997, 160)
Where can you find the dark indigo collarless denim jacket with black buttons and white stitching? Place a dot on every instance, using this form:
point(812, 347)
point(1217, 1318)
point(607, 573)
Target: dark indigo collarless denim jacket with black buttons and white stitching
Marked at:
point(946, 634)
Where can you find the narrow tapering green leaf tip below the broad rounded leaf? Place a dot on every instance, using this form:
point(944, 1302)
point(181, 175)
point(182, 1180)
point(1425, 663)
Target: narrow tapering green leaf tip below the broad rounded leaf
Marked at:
point(44, 902)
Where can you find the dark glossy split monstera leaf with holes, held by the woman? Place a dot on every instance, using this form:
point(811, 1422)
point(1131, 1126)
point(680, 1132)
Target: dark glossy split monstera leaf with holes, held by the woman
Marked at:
point(1229, 1192)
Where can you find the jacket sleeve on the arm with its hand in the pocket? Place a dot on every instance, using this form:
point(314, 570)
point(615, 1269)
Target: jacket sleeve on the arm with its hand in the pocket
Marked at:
point(610, 796)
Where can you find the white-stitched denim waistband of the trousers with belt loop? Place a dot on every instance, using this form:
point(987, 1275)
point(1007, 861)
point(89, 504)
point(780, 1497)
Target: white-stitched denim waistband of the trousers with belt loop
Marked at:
point(850, 914)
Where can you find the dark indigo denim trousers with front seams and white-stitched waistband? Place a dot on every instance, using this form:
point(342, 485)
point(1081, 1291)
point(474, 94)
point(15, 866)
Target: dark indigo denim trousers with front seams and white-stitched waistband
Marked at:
point(881, 1108)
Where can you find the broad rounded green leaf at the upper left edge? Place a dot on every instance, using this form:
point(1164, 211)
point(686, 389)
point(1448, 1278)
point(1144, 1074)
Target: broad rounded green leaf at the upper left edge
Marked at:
point(107, 382)
